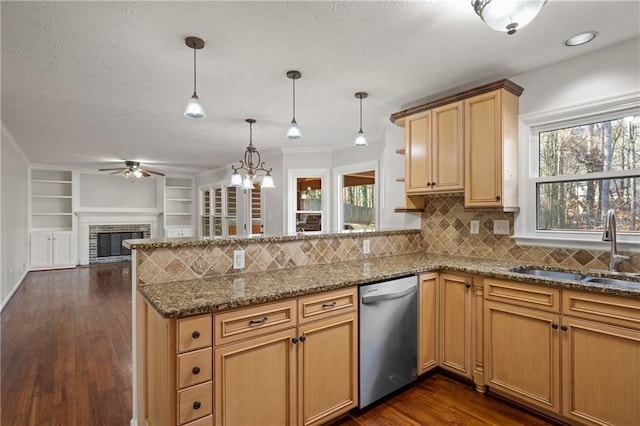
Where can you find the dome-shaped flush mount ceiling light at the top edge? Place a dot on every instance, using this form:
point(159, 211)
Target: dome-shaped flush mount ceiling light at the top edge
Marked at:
point(507, 15)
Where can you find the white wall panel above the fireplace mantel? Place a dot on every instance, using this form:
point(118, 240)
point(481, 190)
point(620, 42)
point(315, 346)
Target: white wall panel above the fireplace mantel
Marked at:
point(113, 191)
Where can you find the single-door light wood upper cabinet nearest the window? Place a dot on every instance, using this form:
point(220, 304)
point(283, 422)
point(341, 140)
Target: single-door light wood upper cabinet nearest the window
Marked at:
point(491, 150)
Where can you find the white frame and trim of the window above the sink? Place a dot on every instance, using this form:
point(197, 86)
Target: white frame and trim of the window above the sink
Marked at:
point(526, 232)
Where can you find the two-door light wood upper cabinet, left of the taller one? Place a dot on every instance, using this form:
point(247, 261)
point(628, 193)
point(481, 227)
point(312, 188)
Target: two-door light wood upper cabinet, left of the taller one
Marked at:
point(434, 150)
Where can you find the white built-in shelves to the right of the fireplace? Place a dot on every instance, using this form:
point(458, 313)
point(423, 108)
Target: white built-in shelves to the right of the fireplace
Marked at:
point(178, 207)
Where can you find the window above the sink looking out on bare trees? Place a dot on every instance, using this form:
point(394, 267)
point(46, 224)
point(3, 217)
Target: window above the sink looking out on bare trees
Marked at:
point(578, 169)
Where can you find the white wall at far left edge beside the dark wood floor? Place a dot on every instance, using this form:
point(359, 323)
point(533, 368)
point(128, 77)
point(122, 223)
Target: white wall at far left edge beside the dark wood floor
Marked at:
point(14, 247)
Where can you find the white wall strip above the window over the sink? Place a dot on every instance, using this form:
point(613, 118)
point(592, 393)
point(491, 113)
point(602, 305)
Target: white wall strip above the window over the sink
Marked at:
point(611, 71)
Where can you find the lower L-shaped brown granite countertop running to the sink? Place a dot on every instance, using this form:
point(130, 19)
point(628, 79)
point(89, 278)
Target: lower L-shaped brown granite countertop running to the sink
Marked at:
point(193, 297)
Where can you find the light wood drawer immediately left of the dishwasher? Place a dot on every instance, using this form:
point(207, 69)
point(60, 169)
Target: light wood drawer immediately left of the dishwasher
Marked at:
point(321, 305)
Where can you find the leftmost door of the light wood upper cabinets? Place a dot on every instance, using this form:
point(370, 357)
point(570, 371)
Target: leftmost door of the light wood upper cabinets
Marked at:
point(417, 131)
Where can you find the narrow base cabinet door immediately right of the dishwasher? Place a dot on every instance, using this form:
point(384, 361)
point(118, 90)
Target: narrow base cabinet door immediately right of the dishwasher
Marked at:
point(428, 321)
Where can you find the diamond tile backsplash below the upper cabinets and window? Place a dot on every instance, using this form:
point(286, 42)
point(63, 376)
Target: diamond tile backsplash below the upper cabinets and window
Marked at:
point(445, 230)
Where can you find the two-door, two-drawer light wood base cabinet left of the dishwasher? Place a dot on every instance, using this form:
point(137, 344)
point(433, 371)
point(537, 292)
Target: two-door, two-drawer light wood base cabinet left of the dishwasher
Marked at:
point(305, 374)
